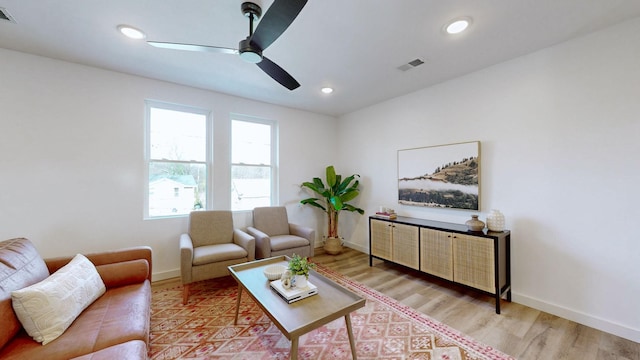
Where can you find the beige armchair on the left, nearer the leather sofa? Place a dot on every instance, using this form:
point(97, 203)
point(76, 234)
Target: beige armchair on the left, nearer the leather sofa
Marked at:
point(211, 245)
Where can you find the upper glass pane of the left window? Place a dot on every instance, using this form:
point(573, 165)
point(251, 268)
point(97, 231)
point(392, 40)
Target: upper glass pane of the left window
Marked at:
point(177, 135)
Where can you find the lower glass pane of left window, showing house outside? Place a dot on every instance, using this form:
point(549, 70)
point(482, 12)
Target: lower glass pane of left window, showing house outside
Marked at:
point(176, 188)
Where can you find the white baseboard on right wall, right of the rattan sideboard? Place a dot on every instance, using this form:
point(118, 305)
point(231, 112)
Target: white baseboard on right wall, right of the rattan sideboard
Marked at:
point(579, 317)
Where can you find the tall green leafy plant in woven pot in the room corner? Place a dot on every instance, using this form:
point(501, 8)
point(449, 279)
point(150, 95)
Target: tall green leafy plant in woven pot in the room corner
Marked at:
point(332, 199)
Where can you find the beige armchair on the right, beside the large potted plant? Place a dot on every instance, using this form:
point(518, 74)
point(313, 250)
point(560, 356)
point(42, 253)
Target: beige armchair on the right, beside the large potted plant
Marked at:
point(276, 236)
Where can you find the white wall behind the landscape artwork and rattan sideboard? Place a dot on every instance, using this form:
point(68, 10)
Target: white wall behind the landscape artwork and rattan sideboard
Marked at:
point(560, 140)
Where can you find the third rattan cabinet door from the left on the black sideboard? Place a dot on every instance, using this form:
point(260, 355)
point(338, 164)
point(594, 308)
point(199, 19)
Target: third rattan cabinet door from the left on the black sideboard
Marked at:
point(436, 253)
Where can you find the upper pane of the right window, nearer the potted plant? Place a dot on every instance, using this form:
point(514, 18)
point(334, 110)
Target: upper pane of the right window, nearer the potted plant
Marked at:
point(251, 143)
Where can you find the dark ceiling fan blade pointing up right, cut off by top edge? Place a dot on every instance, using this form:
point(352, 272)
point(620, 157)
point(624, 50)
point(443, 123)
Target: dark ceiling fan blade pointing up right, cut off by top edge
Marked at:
point(275, 21)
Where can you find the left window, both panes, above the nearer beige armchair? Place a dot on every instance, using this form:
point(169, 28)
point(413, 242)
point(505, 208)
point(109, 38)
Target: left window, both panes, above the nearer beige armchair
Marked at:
point(177, 154)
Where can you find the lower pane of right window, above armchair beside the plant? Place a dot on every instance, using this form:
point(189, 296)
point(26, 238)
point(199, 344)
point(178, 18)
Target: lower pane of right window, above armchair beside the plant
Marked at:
point(250, 187)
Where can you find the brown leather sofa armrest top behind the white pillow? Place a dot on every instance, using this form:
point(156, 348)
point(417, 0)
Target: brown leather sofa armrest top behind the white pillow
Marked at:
point(107, 257)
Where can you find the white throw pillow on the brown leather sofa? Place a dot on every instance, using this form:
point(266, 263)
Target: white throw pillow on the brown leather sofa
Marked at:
point(46, 309)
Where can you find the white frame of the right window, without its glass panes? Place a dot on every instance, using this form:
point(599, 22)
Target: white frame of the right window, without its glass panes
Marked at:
point(274, 155)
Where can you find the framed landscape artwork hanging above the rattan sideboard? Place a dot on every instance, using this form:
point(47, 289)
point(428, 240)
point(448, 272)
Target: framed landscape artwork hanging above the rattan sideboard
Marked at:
point(444, 176)
